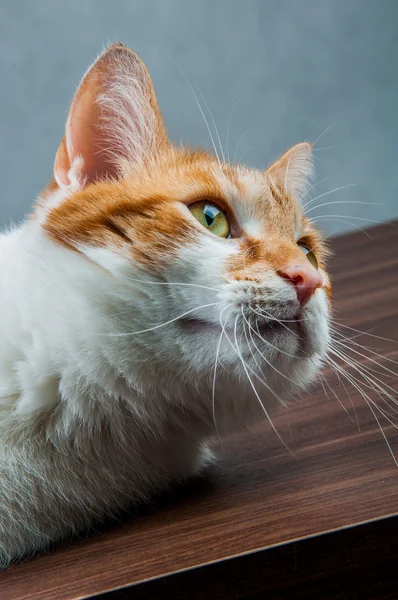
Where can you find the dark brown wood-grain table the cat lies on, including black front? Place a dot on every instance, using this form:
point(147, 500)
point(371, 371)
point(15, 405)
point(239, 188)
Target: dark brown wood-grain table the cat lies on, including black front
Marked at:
point(318, 522)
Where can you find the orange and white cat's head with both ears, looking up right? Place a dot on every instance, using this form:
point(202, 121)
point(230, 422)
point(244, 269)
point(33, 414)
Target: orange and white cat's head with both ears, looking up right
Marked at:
point(218, 259)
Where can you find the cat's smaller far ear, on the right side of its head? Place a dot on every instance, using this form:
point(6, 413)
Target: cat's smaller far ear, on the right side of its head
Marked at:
point(293, 170)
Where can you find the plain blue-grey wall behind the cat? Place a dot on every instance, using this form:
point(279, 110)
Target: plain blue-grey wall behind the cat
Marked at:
point(296, 68)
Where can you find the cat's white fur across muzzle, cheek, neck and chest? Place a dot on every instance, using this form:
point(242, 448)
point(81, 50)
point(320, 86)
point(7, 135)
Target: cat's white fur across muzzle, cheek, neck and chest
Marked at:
point(95, 416)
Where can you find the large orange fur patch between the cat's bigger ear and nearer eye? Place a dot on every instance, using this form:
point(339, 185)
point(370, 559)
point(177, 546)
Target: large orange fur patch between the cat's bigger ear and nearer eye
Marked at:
point(141, 212)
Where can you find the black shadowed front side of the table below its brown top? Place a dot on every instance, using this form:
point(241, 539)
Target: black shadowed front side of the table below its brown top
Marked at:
point(347, 564)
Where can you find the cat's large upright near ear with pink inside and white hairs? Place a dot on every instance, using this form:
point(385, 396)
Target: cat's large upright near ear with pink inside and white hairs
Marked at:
point(114, 121)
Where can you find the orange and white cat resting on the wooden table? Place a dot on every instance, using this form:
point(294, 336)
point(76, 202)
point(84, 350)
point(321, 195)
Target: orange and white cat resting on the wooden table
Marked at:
point(151, 293)
